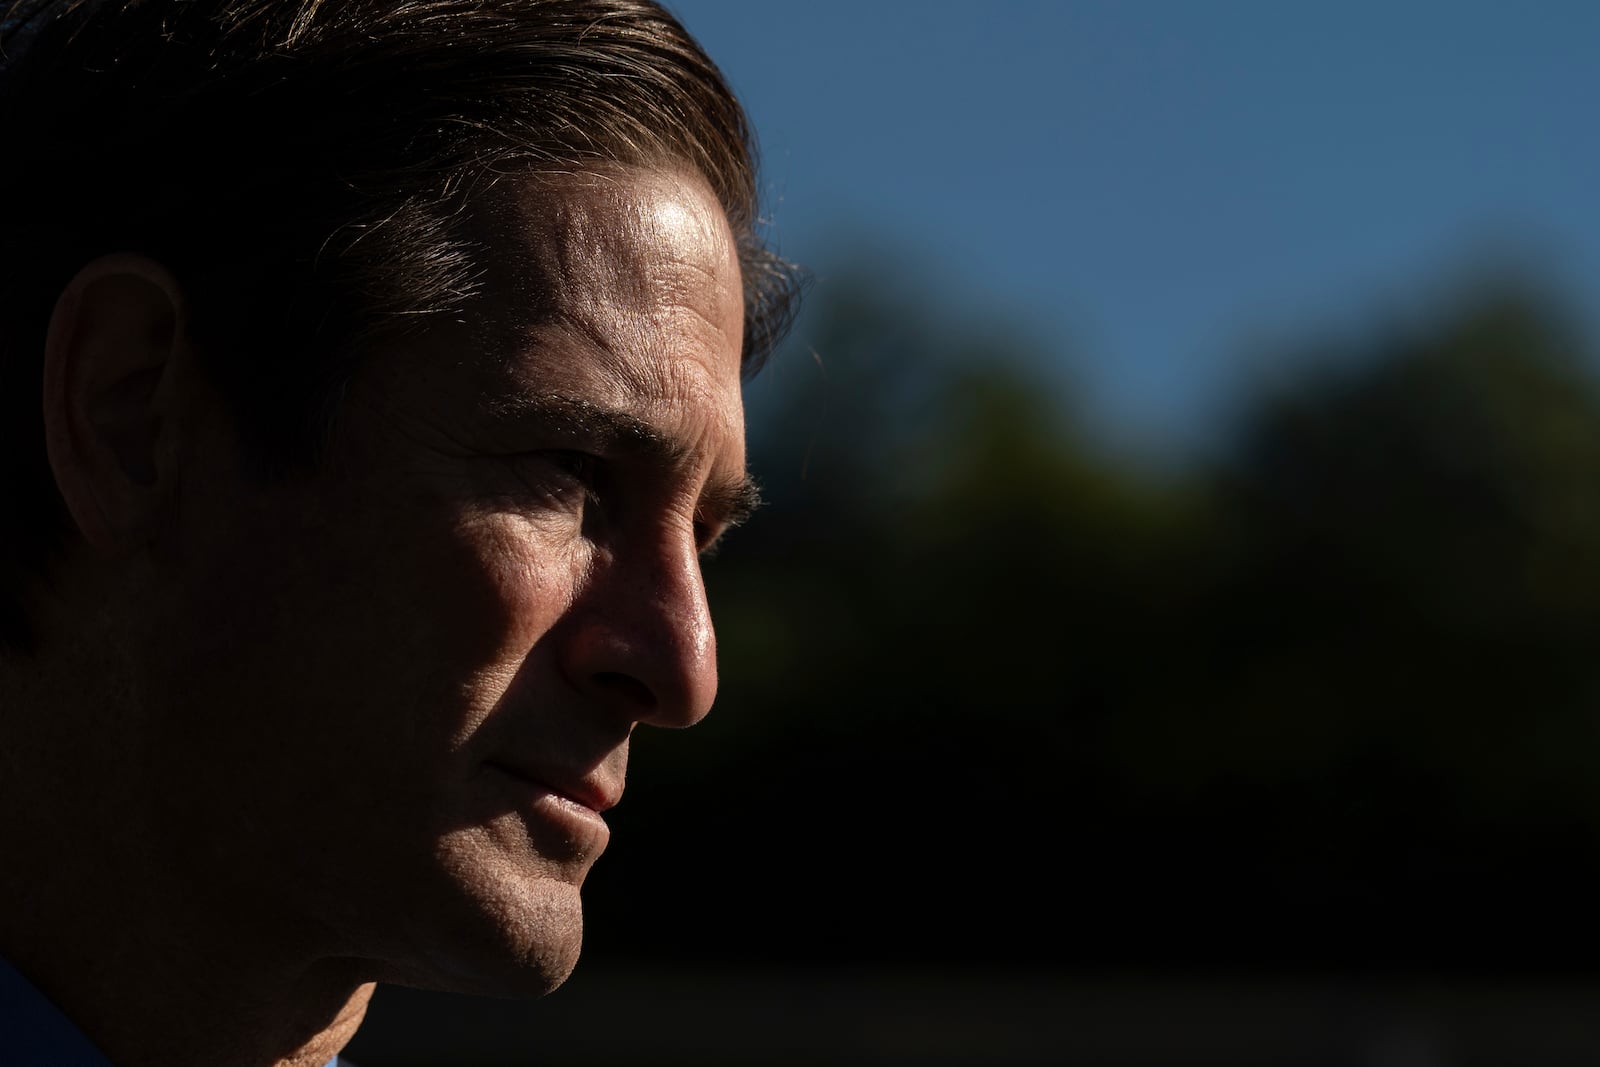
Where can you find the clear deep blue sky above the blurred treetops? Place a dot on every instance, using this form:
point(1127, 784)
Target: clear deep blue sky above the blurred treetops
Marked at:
point(1167, 190)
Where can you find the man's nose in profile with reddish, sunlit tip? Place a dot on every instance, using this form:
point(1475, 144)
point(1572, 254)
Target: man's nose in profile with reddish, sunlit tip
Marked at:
point(644, 644)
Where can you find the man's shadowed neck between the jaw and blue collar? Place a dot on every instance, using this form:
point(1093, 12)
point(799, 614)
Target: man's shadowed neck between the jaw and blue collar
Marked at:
point(97, 911)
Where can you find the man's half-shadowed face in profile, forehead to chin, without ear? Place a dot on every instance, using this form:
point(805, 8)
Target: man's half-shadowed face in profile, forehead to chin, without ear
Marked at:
point(396, 695)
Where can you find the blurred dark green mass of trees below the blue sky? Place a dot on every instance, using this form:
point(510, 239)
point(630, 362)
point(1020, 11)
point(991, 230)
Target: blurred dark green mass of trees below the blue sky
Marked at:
point(990, 695)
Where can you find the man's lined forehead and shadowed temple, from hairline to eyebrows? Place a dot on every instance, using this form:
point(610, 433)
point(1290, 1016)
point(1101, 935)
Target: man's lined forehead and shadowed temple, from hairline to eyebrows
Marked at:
point(618, 290)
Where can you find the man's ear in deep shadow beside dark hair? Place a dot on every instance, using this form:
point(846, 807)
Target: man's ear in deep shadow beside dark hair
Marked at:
point(114, 346)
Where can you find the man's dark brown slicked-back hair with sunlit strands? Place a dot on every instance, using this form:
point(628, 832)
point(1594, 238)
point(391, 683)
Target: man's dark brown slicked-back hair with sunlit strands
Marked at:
point(306, 170)
